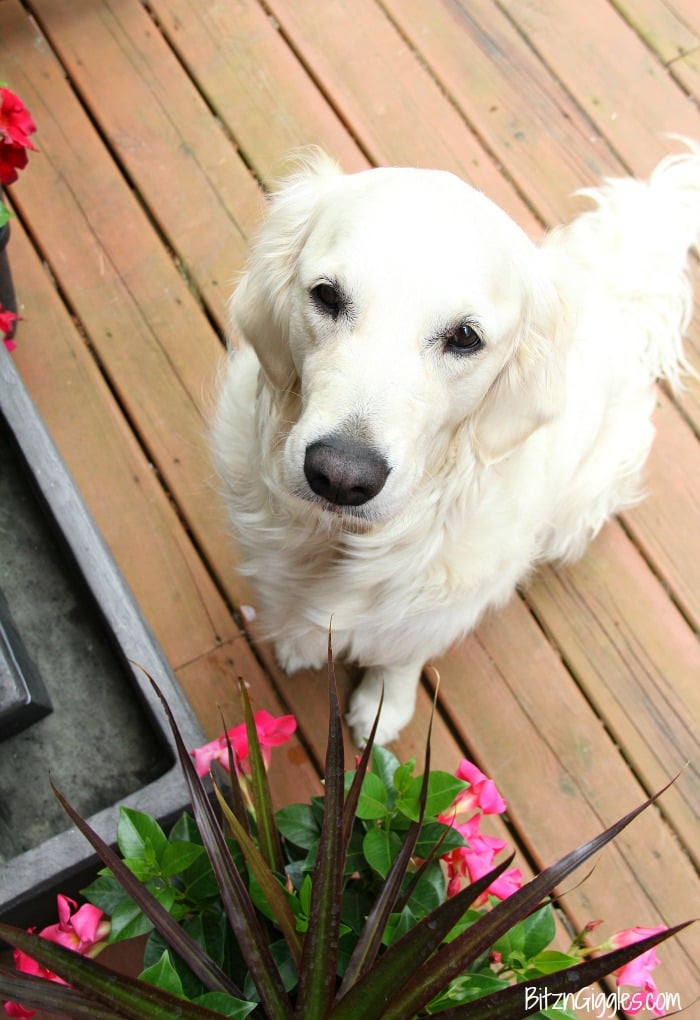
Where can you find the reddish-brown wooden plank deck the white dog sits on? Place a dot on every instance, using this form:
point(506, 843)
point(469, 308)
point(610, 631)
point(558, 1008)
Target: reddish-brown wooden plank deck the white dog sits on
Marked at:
point(158, 123)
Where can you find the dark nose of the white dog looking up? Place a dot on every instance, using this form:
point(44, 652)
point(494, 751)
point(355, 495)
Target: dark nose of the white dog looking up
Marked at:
point(344, 473)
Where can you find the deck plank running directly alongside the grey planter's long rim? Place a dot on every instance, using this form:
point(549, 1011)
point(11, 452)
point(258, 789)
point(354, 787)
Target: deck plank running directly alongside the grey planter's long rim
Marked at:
point(111, 471)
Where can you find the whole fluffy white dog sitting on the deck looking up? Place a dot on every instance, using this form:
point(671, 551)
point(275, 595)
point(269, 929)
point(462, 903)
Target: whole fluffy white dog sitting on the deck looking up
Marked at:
point(425, 404)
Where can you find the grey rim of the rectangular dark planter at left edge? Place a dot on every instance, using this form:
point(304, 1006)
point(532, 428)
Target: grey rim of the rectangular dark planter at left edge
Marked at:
point(43, 869)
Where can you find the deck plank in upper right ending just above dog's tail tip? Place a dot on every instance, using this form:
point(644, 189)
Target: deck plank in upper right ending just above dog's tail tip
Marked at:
point(611, 74)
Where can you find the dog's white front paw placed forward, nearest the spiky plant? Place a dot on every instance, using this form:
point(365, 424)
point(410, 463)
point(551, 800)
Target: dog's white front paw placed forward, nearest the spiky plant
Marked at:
point(397, 709)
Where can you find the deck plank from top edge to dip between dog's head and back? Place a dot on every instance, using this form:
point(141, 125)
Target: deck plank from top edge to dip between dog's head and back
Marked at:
point(387, 98)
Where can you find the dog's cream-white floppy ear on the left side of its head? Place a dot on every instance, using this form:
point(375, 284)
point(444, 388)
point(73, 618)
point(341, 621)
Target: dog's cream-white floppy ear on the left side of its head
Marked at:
point(261, 305)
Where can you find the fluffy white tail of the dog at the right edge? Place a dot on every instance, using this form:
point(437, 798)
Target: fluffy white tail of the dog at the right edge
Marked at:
point(640, 234)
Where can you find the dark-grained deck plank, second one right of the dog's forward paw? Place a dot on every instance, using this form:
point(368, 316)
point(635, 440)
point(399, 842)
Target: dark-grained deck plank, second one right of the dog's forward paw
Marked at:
point(638, 662)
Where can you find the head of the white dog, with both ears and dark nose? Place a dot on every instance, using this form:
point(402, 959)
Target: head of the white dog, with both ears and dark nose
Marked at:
point(410, 317)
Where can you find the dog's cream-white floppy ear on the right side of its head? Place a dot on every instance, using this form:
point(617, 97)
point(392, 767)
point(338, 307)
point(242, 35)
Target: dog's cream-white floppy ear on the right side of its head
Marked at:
point(529, 392)
